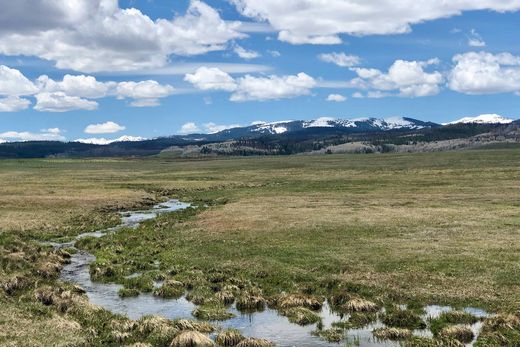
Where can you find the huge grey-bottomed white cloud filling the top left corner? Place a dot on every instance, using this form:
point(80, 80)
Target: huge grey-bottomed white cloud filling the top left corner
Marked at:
point(97, 35)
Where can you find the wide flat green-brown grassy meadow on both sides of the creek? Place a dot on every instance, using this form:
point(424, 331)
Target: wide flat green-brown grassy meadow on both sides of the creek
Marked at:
point(427, 228)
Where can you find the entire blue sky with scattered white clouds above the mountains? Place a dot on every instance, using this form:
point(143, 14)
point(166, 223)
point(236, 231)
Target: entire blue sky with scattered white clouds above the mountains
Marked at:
point(99, 70)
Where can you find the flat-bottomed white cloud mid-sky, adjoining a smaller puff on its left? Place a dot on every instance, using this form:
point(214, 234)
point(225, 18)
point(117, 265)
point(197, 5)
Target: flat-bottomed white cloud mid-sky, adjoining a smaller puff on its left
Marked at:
point(272, 87)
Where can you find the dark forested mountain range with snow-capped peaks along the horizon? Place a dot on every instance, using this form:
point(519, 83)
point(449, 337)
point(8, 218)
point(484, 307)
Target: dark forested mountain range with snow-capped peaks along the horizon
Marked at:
point(284, 137)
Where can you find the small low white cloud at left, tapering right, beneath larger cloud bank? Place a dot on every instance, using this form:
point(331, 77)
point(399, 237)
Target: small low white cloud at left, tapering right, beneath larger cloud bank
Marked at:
point(61, 102)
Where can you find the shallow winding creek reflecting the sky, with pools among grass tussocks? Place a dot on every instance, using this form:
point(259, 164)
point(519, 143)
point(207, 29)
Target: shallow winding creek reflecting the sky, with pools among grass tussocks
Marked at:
point(267, 324)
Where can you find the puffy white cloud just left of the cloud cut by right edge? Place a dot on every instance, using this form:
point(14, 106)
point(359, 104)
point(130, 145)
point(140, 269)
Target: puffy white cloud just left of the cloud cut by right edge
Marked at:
point(404, 78)
